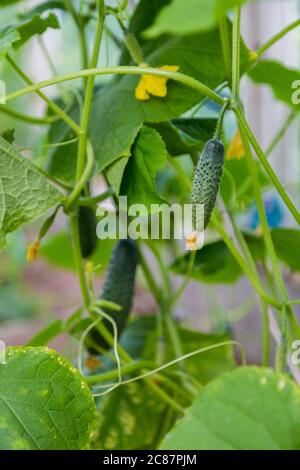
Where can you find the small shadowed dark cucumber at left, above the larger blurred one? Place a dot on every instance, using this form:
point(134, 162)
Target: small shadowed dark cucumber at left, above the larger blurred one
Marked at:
point(87, 230)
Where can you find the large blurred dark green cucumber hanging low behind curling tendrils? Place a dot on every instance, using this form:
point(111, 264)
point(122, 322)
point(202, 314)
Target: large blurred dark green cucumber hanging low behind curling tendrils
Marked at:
point(118, 288)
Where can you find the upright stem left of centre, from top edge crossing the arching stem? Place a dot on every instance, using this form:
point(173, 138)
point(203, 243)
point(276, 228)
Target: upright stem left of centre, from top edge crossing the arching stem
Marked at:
point(81, 156)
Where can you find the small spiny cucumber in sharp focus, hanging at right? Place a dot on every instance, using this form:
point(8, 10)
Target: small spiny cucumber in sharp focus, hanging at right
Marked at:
point(207, 180)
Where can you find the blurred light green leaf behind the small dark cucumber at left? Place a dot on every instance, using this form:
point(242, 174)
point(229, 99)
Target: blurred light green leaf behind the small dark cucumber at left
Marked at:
point(58, 251)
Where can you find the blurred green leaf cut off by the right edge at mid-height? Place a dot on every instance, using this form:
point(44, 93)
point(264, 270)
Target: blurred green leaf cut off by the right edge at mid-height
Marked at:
point(286, 242)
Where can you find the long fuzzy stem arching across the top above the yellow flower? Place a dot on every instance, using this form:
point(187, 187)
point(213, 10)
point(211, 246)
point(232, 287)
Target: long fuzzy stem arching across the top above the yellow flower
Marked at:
point(121, 70)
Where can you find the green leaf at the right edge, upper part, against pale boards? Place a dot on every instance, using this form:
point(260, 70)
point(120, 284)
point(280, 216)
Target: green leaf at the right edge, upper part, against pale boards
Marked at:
point(279, 77)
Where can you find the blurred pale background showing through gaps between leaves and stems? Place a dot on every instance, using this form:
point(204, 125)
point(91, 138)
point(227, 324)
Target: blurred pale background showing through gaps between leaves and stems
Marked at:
point(31, 296)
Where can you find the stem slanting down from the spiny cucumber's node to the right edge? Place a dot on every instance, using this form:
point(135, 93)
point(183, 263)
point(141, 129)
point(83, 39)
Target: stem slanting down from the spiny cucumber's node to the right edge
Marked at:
point(262, 158)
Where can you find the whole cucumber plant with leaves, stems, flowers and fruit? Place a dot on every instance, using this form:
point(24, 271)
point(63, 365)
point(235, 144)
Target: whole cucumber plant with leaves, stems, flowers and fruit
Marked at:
point(143, 126)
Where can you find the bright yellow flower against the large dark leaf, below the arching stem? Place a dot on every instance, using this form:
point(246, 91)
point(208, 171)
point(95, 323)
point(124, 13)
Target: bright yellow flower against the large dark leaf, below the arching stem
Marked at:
point(153, 85)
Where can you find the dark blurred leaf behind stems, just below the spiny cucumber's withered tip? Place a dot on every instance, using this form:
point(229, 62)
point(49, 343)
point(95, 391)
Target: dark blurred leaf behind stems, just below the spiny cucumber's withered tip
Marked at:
point(215, 264)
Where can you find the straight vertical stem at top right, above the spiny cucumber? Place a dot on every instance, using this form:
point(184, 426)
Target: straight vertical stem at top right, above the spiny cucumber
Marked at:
point(236, 34)
